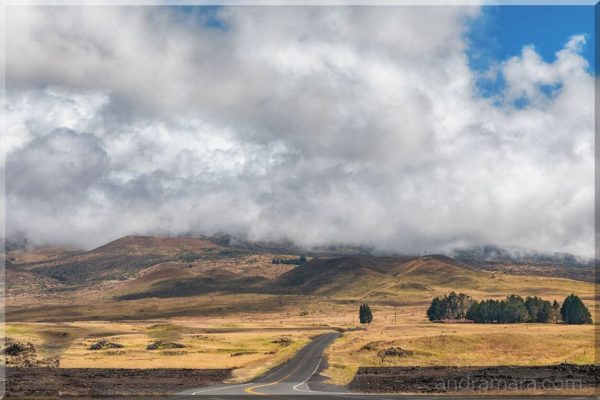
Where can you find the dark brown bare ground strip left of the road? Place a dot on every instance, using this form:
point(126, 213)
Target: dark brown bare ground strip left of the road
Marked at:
point(44, 382)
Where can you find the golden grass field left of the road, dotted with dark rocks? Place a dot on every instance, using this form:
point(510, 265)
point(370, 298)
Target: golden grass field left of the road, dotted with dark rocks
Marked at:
point(250, 351)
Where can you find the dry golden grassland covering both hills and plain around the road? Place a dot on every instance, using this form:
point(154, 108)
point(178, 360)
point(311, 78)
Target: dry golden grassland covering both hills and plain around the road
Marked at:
point(197, 304)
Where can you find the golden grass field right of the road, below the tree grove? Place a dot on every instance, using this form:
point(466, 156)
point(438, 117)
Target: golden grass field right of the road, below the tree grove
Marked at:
point(430, 344)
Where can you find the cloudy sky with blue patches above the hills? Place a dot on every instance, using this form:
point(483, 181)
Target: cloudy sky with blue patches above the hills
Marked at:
point(407, 129)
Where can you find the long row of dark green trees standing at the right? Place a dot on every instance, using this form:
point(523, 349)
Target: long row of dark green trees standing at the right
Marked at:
point(514, 309)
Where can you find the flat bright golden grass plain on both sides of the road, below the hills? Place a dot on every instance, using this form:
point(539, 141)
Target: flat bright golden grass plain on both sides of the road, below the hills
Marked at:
point(247, 341)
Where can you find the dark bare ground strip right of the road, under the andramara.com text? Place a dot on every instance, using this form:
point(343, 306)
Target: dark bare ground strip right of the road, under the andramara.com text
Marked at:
point(475, 379)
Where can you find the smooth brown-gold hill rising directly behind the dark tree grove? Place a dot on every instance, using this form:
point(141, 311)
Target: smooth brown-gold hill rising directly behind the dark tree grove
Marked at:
point(417, 280)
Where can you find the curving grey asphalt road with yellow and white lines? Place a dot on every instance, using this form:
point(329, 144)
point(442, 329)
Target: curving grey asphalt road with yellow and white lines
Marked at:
point(288, 379)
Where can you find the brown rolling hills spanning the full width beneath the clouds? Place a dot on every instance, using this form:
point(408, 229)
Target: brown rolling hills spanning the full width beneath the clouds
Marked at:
point(139, 267)
